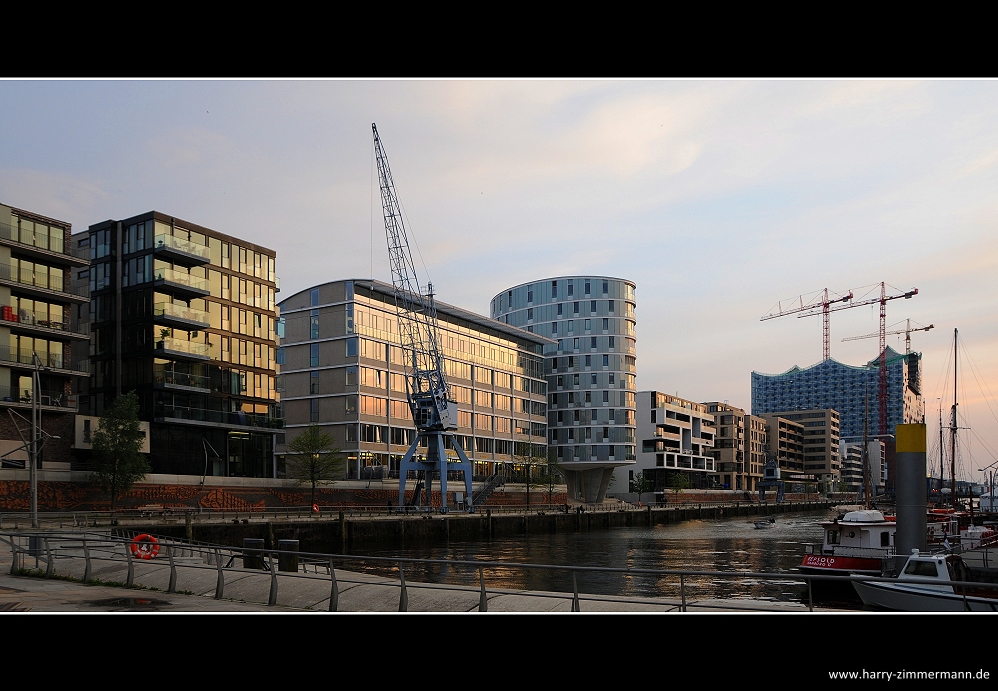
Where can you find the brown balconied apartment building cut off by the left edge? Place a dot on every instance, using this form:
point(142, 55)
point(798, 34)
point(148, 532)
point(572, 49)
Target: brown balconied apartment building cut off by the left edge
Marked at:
point(42, 350)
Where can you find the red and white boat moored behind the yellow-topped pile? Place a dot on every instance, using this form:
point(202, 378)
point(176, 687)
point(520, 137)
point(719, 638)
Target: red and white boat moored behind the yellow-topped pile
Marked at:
point(854, 543)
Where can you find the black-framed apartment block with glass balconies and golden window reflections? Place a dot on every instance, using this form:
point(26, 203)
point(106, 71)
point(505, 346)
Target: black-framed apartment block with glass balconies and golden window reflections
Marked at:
point(186, 317)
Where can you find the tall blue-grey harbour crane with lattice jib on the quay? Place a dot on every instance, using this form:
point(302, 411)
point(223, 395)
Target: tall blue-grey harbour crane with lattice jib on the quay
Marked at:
point(433, 412)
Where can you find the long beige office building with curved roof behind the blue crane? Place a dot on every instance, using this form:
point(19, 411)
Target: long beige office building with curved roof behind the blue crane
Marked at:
point(343, 368)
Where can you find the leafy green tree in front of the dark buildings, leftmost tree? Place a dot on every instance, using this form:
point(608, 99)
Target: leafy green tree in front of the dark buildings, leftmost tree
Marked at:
point(117, 457)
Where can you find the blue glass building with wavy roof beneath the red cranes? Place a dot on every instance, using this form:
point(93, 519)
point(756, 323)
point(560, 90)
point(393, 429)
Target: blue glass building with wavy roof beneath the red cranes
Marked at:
point(844, 388)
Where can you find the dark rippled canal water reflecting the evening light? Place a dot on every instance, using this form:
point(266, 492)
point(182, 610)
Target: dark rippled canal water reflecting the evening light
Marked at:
point(727, 544)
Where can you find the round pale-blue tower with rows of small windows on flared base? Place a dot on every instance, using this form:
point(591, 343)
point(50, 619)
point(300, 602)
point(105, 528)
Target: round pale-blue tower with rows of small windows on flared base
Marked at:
point(590, 371)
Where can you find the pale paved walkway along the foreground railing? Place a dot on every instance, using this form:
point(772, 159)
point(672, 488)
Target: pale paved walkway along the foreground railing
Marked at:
point(248, 590)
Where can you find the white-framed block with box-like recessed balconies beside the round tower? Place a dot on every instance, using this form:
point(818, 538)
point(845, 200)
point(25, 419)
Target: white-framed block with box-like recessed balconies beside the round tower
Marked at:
point(676, 437)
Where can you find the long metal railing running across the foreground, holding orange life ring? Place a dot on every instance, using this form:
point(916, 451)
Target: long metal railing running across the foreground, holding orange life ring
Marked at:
point(77, 556)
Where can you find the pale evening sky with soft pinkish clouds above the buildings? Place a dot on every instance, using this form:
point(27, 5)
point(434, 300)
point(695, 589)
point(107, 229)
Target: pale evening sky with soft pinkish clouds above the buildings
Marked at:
point(717, 198)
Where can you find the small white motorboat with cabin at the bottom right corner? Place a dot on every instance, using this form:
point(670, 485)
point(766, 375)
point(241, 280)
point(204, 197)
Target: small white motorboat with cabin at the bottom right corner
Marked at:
point(934, 583)
